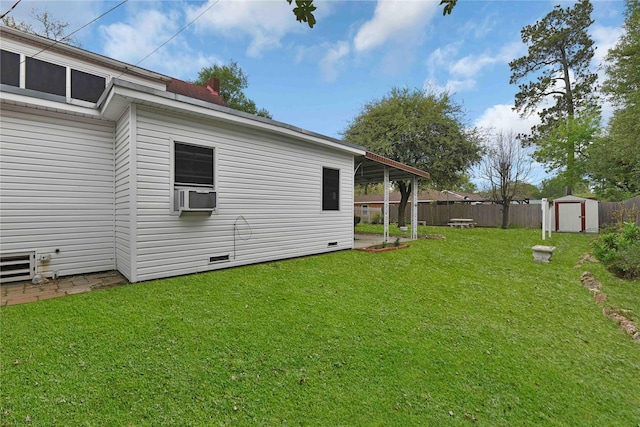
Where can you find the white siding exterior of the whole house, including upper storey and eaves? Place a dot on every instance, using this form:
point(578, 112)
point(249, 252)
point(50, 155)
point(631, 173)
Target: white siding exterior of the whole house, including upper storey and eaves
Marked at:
point(91, 184)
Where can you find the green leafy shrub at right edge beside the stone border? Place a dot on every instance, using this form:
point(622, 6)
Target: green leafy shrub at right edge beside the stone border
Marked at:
point(619, 250)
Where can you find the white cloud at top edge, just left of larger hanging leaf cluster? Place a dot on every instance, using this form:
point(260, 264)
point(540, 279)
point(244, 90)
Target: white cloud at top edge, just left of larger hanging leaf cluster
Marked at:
point(264, 22)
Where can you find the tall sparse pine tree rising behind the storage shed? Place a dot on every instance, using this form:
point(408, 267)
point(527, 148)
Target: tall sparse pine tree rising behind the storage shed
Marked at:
point(556, 71)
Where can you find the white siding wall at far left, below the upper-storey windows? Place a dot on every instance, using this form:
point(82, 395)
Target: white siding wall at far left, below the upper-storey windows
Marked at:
point(57, 189)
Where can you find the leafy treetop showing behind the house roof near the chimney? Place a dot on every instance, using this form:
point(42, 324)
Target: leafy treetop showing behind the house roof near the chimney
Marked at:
point(233, 82)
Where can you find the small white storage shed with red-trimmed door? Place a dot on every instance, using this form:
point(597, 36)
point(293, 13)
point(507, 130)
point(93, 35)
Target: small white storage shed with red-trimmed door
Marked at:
point(575, 215)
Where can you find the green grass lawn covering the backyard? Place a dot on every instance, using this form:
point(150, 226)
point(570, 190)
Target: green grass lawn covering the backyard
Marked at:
point(465, 331)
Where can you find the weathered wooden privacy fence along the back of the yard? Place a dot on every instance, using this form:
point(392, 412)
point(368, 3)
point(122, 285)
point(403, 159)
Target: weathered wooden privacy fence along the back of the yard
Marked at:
point(487, 215)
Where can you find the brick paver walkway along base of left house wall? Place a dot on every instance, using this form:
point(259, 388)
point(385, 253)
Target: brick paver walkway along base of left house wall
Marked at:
point(23, 292)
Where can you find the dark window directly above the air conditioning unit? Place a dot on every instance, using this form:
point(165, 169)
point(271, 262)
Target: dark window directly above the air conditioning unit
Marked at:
point(193, 165)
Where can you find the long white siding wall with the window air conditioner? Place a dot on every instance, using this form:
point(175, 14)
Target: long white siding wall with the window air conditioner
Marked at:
point(269, 192)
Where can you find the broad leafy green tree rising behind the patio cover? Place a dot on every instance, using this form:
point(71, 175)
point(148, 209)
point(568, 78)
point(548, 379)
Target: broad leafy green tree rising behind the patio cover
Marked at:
point(421, 129)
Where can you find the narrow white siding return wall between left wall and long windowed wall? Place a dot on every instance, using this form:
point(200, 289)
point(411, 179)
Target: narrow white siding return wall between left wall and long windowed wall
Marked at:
point(123, 195)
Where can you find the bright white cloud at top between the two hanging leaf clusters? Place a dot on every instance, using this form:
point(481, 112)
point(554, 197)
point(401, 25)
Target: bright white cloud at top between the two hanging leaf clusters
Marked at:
point(394, 20)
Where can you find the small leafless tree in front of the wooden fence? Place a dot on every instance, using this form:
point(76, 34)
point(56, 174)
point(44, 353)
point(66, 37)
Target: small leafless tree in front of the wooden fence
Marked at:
point(506, 167)
